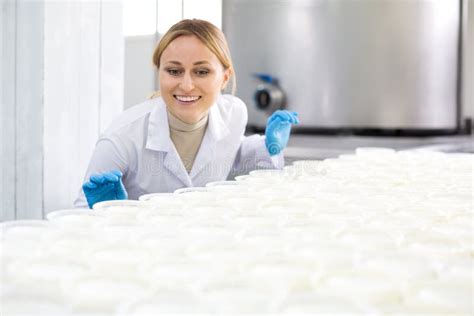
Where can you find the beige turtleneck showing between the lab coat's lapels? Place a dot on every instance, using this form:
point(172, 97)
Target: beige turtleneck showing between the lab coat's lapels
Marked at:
point(187, 138)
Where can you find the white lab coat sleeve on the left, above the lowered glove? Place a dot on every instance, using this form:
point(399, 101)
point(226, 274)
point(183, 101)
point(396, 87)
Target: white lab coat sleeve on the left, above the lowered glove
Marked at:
point(106, 157)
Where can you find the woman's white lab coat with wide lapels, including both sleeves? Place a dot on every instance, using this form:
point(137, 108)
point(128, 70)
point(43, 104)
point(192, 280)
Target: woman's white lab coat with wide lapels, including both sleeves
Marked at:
point(138, 144)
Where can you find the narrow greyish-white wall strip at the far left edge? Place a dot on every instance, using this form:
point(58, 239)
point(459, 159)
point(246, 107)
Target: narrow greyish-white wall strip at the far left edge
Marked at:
point(22, 110)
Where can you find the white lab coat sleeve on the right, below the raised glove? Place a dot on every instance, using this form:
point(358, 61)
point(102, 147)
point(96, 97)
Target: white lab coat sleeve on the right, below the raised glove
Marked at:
point(252, 155)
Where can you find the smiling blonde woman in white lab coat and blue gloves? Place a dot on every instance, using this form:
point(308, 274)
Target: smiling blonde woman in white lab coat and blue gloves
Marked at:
point(190, 134)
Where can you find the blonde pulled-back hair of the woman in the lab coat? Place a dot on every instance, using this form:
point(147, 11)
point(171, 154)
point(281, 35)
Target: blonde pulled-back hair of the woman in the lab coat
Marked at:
point(207, 33)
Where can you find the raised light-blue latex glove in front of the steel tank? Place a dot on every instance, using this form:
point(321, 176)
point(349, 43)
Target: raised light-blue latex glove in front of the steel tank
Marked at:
point(278, 130)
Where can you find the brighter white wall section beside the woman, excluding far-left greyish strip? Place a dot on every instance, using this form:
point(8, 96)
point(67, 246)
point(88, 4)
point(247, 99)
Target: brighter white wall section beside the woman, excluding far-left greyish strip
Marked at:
point(83, 90)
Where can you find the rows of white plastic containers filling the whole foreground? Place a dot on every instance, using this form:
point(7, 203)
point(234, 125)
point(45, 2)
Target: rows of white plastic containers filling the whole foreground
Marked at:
point(378, 232)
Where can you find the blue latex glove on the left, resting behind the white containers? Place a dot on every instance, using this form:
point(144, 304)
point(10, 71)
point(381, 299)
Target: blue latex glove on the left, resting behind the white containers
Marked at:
point(104, 187)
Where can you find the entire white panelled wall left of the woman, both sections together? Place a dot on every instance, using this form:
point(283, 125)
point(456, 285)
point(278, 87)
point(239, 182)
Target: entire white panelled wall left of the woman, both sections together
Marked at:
point(61, 84)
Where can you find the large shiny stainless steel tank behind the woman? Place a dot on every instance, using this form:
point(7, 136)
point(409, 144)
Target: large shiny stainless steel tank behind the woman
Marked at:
point(357, 64)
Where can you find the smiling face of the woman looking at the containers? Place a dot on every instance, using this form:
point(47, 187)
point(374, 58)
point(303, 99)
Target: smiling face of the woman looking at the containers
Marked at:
point(191, 78)
